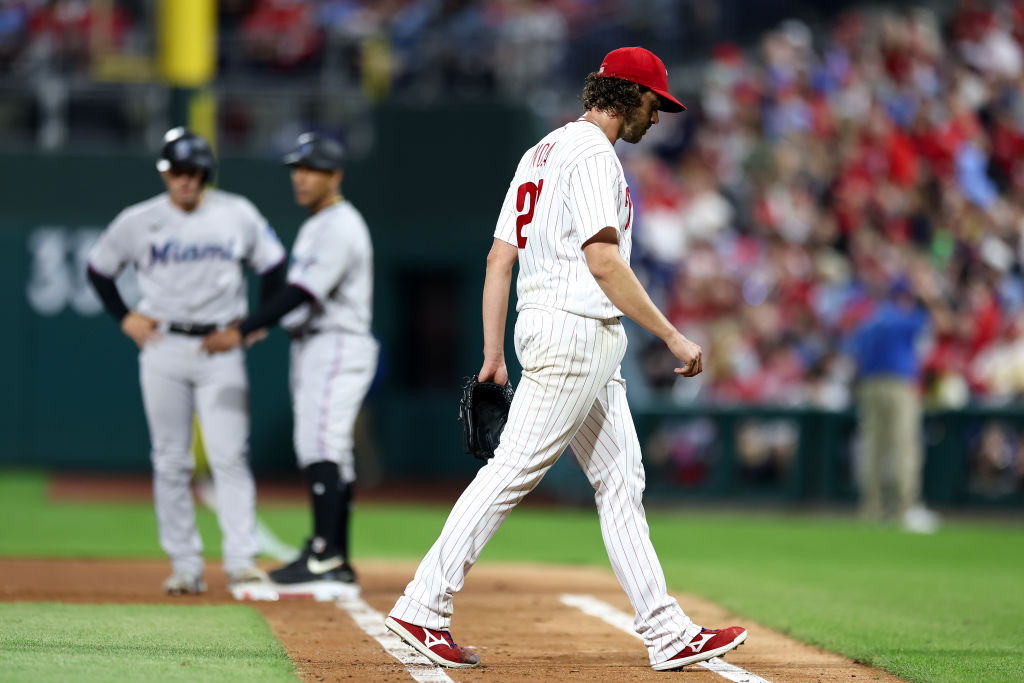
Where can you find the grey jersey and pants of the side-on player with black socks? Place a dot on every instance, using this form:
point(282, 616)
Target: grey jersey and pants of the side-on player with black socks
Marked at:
point(334, 355)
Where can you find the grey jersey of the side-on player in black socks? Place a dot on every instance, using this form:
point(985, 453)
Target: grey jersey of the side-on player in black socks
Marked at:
point(333, 261)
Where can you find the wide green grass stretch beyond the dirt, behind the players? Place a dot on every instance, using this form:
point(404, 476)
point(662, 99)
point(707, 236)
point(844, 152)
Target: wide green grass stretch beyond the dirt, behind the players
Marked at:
point(944, 608)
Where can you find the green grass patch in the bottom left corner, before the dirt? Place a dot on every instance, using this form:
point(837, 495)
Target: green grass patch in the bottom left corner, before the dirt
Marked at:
point(58, 643)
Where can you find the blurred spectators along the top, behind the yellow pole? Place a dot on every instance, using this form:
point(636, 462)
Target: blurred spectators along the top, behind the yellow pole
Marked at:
point(411, 46)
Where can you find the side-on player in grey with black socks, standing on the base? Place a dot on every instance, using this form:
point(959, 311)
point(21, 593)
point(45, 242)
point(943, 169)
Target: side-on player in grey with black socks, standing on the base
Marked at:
point(326, 309)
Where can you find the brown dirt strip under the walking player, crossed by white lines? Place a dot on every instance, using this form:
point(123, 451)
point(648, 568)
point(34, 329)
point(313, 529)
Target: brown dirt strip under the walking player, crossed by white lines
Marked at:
point(511, 614)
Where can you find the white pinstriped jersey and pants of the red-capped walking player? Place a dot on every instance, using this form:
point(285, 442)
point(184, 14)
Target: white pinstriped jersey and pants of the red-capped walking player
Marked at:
point(571, 343)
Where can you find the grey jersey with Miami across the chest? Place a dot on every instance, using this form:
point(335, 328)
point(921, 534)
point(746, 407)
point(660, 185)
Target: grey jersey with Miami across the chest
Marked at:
point(190, 264)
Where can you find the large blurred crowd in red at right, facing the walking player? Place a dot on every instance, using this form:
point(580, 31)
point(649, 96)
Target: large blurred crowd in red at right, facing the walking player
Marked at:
point(815, 176)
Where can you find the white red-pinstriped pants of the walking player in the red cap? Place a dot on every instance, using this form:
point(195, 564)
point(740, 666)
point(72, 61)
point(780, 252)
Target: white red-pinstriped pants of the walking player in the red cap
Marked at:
point(572, 394)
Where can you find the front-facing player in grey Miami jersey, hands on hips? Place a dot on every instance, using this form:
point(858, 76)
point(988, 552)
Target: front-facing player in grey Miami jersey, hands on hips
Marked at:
point(189, 246)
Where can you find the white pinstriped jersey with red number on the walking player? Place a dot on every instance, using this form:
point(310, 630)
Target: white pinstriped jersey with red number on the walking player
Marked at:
point(567, 190)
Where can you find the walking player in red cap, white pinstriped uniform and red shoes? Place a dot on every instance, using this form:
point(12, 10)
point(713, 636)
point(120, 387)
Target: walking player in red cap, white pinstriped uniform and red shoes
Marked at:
point(567, 220)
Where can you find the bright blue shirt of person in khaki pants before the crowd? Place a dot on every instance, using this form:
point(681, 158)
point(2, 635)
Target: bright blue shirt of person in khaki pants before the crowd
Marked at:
point(886, 344)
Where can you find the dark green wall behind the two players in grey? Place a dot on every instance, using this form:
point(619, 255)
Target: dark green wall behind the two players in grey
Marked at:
point(431, 193)
